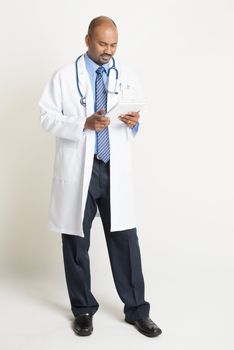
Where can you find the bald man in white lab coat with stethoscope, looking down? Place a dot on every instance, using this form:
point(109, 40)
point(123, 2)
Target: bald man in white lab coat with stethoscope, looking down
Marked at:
point(92, 172)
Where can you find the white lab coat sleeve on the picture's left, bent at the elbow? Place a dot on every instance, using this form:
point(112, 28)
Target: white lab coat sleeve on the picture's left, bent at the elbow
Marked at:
point(51, 113)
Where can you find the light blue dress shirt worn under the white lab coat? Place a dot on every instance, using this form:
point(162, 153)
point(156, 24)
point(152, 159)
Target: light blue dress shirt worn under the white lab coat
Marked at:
point(91, 67)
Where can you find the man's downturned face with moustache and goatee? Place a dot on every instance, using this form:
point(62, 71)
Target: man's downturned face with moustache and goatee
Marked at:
point(102, 43)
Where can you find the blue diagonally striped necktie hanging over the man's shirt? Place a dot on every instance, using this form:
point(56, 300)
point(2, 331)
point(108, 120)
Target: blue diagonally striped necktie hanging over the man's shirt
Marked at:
point(103, 145)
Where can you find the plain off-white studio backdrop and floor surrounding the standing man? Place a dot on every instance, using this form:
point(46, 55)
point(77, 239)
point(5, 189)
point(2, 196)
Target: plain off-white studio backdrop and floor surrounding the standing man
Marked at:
point(183, 52)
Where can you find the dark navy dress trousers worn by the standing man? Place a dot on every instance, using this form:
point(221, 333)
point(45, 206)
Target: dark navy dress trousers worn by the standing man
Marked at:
point(123, 249)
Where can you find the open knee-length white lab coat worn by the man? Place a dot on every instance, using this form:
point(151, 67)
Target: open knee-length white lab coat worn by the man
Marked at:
point(64, 117)
